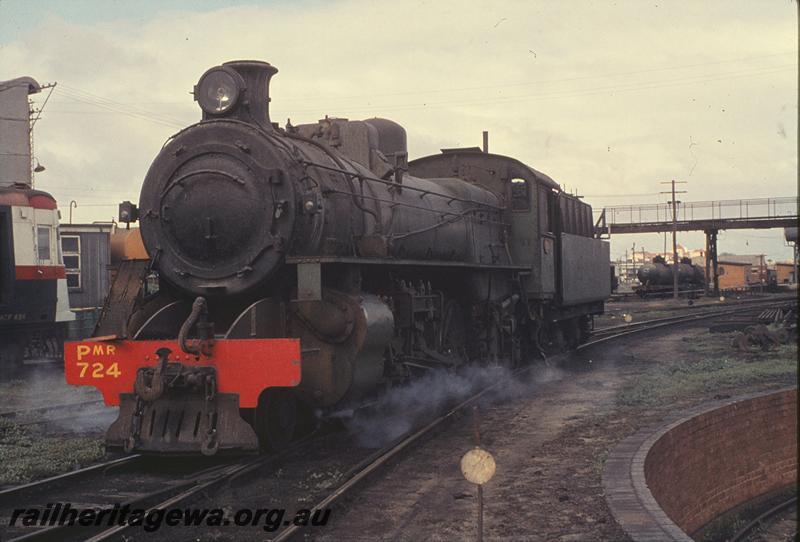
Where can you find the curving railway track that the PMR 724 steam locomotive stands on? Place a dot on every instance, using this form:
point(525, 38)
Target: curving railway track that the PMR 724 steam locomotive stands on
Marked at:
point(169, 489)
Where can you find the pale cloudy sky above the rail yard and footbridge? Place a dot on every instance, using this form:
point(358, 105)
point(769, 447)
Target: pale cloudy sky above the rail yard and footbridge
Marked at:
point(609, 98)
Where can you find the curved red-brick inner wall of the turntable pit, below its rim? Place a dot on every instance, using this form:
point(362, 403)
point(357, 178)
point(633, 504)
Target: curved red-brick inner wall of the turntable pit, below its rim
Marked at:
point(722, 458)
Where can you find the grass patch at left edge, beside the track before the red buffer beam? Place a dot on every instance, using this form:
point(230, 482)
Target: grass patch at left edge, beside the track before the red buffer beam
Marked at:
point(24, 457)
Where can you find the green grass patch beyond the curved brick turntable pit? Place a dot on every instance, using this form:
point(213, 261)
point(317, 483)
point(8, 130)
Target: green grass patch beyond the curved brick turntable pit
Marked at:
point(717, 365)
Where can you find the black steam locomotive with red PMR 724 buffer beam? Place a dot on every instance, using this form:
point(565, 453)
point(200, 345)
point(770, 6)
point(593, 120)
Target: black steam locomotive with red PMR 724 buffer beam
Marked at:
point(306, 267)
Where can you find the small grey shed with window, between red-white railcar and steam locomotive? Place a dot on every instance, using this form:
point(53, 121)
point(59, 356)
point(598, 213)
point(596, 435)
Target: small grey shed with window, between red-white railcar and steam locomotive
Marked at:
point(85, 249)
